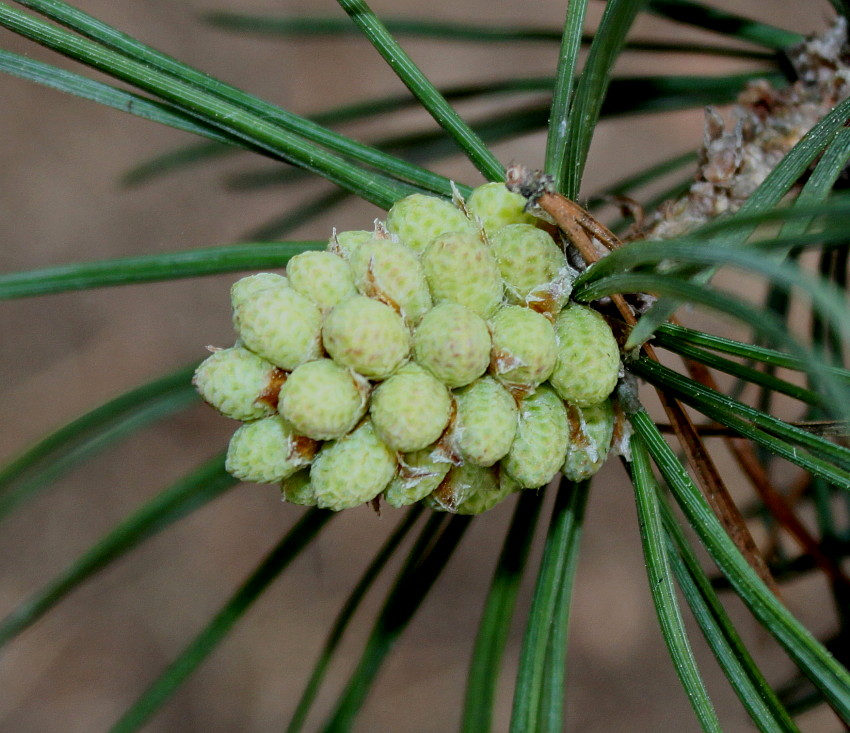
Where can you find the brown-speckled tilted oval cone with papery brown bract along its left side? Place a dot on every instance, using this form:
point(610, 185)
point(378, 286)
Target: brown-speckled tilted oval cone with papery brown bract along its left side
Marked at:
point(391, 272)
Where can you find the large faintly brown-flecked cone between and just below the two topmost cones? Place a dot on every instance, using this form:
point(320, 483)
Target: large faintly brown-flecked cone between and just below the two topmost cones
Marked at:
point(460, 269)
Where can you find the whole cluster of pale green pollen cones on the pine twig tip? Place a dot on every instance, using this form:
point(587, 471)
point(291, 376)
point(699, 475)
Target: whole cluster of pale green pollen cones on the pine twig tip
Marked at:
point(437, 358)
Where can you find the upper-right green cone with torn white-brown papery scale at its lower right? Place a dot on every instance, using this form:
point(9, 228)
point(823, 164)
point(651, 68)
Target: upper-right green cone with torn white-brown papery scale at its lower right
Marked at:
point(533, 267)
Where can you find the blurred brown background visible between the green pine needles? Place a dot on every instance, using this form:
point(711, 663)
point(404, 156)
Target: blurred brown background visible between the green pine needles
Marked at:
point(60, 201)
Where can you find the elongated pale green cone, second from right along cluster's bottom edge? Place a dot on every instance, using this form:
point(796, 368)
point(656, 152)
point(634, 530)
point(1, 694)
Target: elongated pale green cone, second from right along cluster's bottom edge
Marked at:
point(540, 445)
